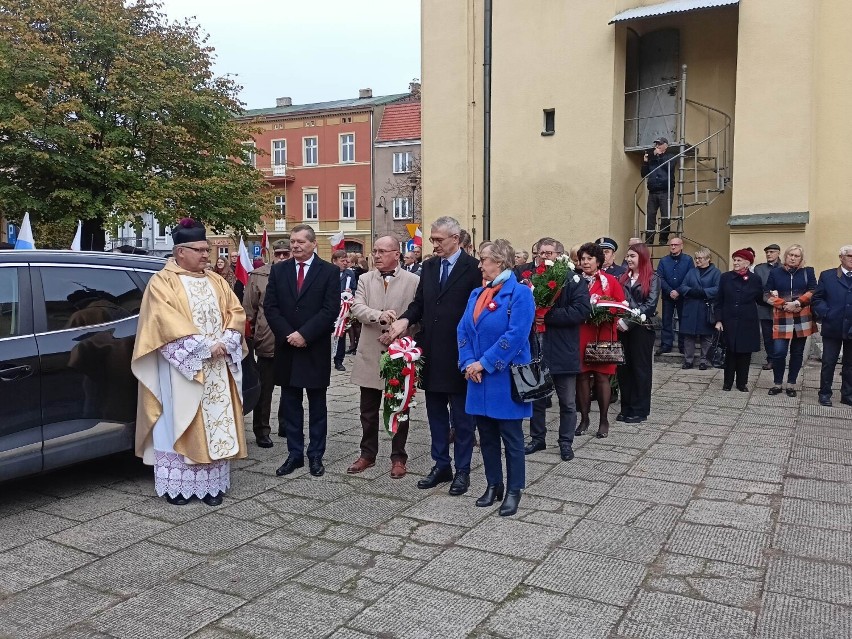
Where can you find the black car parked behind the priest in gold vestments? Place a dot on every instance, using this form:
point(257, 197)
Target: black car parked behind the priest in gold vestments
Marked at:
point(67, 329)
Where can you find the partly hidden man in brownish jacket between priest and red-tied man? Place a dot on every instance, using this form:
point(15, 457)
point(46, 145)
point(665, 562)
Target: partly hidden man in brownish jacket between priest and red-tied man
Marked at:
point(264, 342)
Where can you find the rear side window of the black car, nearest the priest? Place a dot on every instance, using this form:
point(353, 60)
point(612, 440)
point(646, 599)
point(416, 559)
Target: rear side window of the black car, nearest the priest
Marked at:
point(77, 297)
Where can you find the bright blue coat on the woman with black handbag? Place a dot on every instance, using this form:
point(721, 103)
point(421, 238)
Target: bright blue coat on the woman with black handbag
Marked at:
point(500, 338)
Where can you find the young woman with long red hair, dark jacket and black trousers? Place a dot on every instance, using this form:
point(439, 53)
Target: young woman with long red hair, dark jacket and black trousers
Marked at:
point(642, 290)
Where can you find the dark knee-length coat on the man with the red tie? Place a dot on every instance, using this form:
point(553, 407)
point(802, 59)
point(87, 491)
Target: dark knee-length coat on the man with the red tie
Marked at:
point(312, 313)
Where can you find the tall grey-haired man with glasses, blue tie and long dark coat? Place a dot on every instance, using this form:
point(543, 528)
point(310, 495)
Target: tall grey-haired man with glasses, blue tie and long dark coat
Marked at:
point(439, 303)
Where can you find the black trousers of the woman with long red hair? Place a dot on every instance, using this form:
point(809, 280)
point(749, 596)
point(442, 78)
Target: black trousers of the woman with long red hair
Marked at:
point(634, 376)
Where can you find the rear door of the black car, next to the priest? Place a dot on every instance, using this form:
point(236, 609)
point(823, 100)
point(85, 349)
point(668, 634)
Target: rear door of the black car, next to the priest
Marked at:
point(85, 319)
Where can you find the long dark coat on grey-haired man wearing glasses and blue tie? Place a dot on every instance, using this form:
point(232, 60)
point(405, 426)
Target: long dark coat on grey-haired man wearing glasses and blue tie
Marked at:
point(439, 313)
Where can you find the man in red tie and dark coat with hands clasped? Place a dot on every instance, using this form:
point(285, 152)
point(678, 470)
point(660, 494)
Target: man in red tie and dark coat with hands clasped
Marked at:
point(302, 302)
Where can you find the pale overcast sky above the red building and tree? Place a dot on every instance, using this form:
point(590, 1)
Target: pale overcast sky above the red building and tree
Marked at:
point(310, 51)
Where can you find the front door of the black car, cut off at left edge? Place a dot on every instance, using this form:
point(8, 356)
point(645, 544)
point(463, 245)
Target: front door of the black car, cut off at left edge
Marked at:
point(20, 426)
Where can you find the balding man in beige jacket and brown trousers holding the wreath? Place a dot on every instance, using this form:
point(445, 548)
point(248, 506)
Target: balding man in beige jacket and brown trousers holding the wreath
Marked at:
point(382, 295)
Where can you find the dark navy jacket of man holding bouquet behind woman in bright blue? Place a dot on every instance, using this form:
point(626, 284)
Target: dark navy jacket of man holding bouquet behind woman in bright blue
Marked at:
point(561, 340)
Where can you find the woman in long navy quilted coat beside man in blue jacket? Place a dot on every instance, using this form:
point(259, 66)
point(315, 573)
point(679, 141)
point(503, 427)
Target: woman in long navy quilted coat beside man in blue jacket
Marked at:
point(699, 289)
